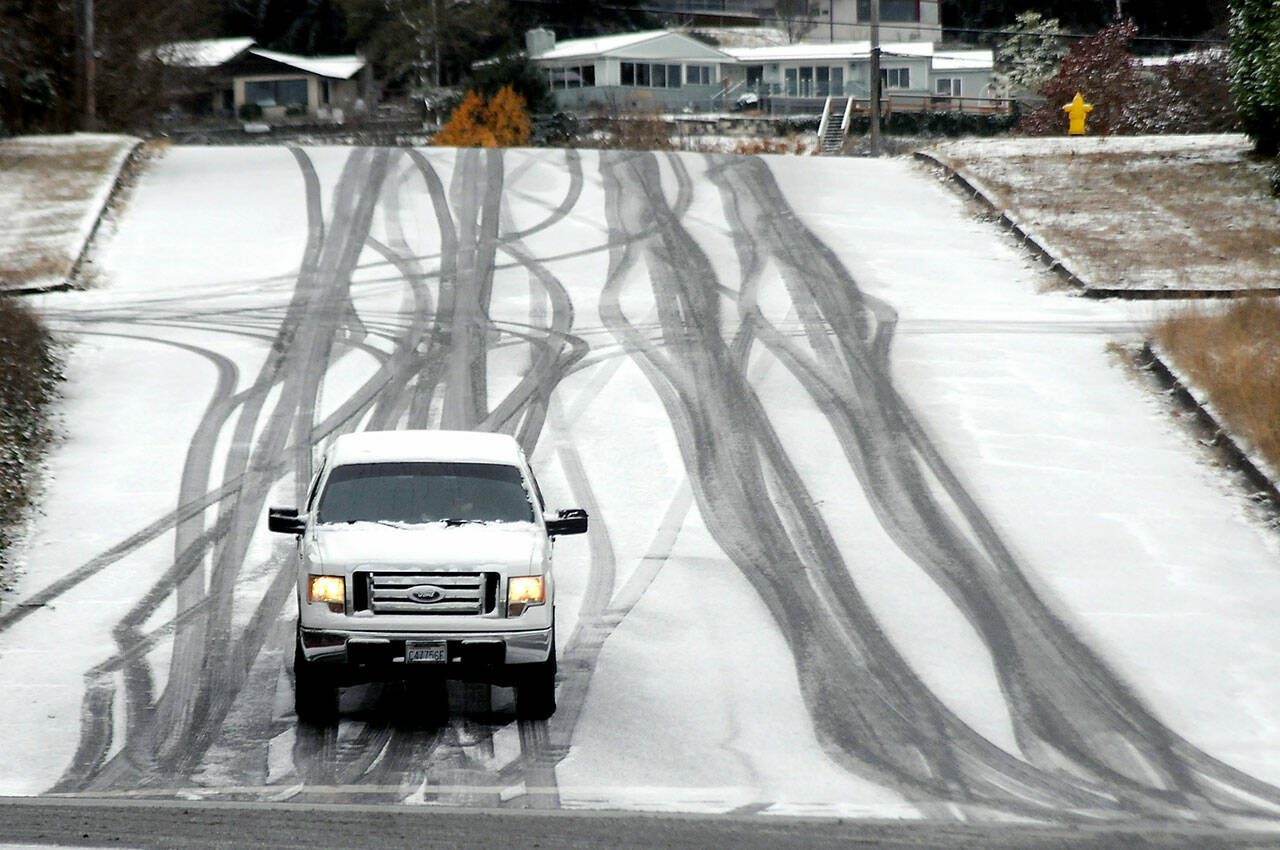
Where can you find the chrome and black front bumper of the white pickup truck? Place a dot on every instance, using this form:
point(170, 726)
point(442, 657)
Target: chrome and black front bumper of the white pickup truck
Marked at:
point(373, 655)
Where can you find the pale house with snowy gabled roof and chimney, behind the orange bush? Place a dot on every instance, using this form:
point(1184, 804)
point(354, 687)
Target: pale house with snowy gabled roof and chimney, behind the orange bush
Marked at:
point(661, 70)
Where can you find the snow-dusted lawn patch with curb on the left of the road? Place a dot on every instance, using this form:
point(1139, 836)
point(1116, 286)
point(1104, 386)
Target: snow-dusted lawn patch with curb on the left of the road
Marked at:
point(52, 193)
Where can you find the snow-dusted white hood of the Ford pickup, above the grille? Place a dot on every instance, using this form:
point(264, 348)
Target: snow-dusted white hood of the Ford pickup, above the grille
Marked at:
point(505, 546)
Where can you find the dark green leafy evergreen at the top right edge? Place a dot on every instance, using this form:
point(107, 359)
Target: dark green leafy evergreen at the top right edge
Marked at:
point(1256, 71)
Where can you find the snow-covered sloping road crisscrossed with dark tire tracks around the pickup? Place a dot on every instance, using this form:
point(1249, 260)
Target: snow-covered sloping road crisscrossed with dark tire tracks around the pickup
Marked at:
point(880, 528)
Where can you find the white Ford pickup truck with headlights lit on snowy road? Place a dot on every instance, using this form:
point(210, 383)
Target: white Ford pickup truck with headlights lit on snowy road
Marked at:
point(424, 555)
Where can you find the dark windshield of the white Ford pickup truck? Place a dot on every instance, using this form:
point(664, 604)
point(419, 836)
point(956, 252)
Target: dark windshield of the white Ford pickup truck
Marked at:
point(419, 492)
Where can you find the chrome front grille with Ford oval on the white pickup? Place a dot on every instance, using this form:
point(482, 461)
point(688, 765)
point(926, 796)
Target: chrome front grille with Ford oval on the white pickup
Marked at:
point(426, 593)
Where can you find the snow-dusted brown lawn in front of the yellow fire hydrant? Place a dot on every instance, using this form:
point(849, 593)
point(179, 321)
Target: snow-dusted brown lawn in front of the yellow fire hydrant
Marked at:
point(1136, 213)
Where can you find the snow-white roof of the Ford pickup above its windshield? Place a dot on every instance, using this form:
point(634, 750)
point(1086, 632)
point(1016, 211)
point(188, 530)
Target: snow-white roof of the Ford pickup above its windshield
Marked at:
point(381, 447)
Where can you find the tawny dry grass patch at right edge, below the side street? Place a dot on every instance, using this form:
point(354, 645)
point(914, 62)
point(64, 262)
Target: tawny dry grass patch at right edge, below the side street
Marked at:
point(1233, 354)
